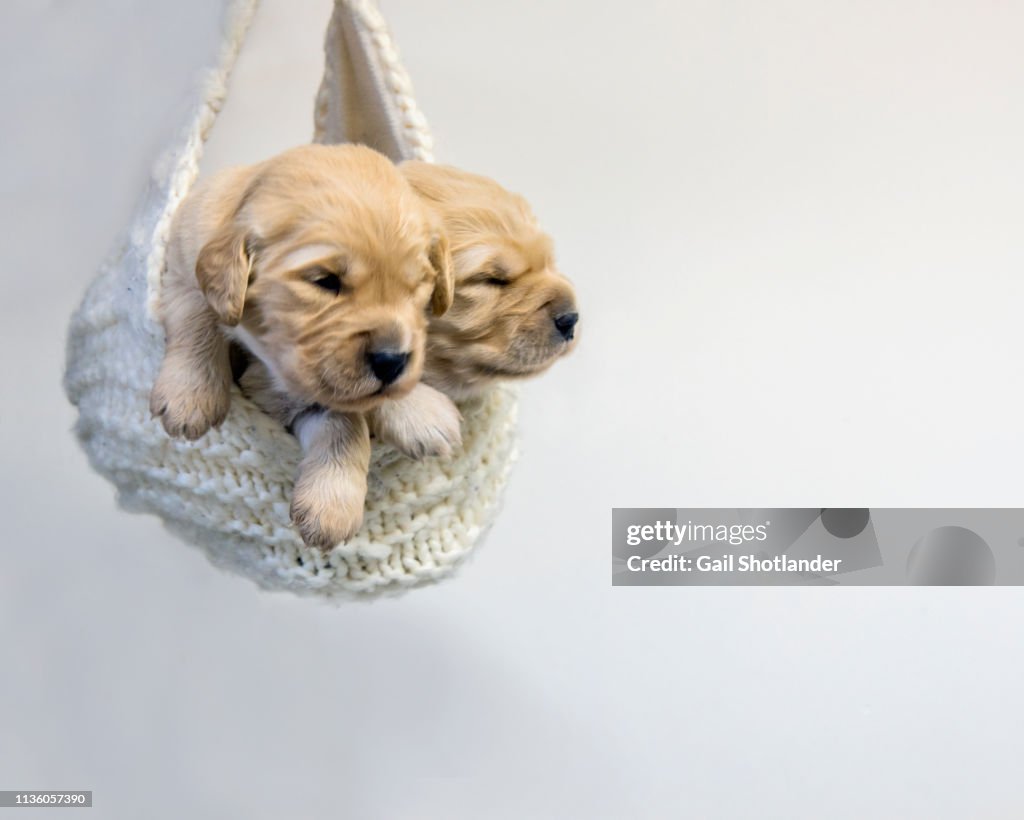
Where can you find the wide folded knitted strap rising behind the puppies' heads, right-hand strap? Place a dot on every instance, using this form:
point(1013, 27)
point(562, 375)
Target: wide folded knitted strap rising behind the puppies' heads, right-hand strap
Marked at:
point(366, 96)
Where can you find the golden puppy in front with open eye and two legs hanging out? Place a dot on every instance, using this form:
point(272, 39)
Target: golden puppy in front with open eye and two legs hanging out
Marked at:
point(321, 265)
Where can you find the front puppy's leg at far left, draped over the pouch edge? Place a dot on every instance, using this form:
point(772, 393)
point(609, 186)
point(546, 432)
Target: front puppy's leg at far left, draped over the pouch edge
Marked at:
point(193, 391)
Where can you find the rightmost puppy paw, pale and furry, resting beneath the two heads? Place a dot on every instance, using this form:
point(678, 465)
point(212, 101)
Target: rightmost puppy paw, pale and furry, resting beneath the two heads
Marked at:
point(424, 423)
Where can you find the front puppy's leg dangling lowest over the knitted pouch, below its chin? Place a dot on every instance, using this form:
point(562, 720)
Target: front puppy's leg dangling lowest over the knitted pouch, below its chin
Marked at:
point(331, 486)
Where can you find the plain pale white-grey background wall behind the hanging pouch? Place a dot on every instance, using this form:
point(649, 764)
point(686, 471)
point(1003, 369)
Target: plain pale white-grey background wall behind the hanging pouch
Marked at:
point(795, 228)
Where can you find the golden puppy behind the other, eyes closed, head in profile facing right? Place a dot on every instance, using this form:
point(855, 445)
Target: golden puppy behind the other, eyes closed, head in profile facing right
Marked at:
point(513, 317)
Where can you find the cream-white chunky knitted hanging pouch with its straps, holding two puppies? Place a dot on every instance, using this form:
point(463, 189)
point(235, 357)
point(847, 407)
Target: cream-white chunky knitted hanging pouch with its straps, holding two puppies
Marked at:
point(229, 493)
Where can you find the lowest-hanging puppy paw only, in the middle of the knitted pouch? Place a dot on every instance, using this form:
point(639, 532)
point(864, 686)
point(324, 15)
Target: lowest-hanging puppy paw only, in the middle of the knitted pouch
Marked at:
point(327, 506)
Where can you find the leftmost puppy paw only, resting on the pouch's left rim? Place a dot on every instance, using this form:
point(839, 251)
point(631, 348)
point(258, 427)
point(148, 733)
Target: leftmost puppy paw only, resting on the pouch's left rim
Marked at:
point(188, 405)
